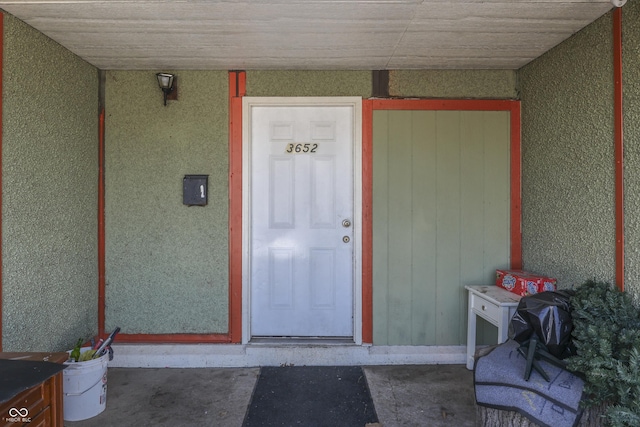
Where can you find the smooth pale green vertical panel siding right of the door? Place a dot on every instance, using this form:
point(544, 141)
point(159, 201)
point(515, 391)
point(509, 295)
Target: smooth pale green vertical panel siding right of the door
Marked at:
point(440, 219)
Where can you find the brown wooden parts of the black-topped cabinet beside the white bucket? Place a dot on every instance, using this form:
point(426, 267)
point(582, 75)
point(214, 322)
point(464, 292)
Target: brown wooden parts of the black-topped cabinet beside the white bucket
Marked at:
point(39, 405)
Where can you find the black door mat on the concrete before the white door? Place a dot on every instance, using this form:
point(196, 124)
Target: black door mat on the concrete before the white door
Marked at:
point(311, 396)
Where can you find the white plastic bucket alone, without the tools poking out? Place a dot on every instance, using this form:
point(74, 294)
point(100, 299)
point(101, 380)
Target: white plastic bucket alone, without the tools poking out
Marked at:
point(85, 388)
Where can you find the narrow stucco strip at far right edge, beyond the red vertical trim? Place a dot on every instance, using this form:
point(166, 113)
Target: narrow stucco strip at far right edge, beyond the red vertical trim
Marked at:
point(631, 80)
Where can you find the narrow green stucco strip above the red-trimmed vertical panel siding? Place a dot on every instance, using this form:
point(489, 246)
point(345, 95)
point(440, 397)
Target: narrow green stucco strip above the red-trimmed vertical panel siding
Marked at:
point(477, 84)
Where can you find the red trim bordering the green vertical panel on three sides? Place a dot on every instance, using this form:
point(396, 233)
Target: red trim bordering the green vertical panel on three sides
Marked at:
point(368, 107)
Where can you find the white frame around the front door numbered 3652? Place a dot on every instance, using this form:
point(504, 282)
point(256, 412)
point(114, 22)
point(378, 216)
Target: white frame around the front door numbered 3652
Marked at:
point(356, 104)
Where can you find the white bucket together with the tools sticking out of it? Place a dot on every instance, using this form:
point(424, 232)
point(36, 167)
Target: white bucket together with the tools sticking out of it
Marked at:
point(85, 379)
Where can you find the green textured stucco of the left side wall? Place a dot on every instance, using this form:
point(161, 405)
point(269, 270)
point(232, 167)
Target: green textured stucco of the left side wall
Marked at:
point(49, 193)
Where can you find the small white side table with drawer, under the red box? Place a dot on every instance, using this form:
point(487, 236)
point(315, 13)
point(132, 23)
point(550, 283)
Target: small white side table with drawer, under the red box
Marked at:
point(495, 305)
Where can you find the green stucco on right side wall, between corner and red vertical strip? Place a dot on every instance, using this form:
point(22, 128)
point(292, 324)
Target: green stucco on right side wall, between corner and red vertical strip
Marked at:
point(568, 222)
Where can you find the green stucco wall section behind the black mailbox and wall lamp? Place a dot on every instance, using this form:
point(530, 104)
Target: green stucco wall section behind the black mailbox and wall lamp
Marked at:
point(166, 263)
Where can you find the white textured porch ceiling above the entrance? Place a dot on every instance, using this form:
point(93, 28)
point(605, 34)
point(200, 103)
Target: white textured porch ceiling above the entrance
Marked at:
point(308, 34)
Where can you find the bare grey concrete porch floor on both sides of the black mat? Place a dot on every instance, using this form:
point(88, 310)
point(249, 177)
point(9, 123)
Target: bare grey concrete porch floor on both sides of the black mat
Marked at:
point(406, 395)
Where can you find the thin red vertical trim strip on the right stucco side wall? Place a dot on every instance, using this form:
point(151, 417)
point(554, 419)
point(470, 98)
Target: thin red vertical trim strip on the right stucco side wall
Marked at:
point(618, 145)
